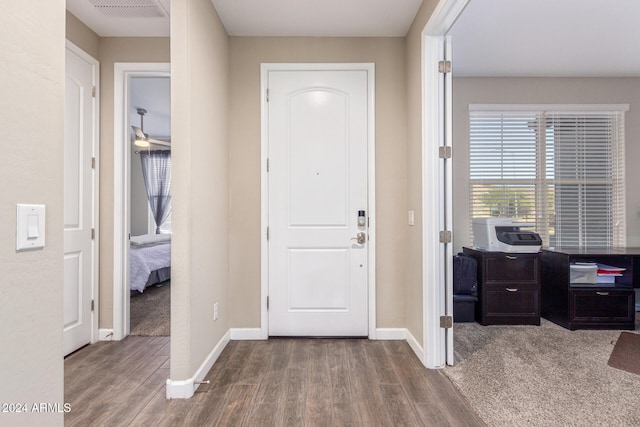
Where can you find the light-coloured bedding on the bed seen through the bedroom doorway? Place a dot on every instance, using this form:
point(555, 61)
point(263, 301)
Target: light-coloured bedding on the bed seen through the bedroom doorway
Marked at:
point(145, 259)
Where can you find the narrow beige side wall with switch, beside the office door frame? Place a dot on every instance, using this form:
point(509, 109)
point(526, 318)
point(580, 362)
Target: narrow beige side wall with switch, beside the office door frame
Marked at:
point(414, 302)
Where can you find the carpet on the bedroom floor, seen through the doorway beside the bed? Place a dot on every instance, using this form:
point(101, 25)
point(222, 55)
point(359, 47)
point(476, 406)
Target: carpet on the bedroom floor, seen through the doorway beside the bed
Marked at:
point(150, 311)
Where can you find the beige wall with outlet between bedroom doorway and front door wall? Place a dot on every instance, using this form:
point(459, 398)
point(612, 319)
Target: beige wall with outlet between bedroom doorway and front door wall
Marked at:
point(200, 175)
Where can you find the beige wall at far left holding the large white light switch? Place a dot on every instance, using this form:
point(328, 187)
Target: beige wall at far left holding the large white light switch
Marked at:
point(32, 82)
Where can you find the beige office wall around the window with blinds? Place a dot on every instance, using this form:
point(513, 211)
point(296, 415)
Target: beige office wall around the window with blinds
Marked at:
point(543, 91)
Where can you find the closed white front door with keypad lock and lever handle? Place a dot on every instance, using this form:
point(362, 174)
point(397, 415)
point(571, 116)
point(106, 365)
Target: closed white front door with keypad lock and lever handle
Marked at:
point(317, 153)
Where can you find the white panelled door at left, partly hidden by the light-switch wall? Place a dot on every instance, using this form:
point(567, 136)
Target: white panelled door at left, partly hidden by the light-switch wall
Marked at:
point(78, 200)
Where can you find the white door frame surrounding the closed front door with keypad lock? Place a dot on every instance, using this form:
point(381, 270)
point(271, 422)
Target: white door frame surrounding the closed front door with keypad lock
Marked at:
point(265, 68)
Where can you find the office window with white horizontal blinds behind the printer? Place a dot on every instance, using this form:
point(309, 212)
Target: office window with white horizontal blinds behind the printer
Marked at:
point(558, 167)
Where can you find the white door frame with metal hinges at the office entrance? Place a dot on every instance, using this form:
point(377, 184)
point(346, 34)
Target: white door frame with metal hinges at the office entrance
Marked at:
point(436, 195)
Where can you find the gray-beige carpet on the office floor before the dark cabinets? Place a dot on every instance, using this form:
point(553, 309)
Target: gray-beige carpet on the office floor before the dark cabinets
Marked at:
point(543, 376)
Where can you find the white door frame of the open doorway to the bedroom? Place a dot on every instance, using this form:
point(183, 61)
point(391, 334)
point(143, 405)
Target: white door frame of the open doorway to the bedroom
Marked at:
point(122, 185)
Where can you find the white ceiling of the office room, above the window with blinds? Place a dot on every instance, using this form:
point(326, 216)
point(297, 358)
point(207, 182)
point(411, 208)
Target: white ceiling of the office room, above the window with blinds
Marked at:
point(577, 38)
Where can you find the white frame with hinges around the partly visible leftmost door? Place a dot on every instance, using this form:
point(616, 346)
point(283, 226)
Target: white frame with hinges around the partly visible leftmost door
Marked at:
point(95, 217)
